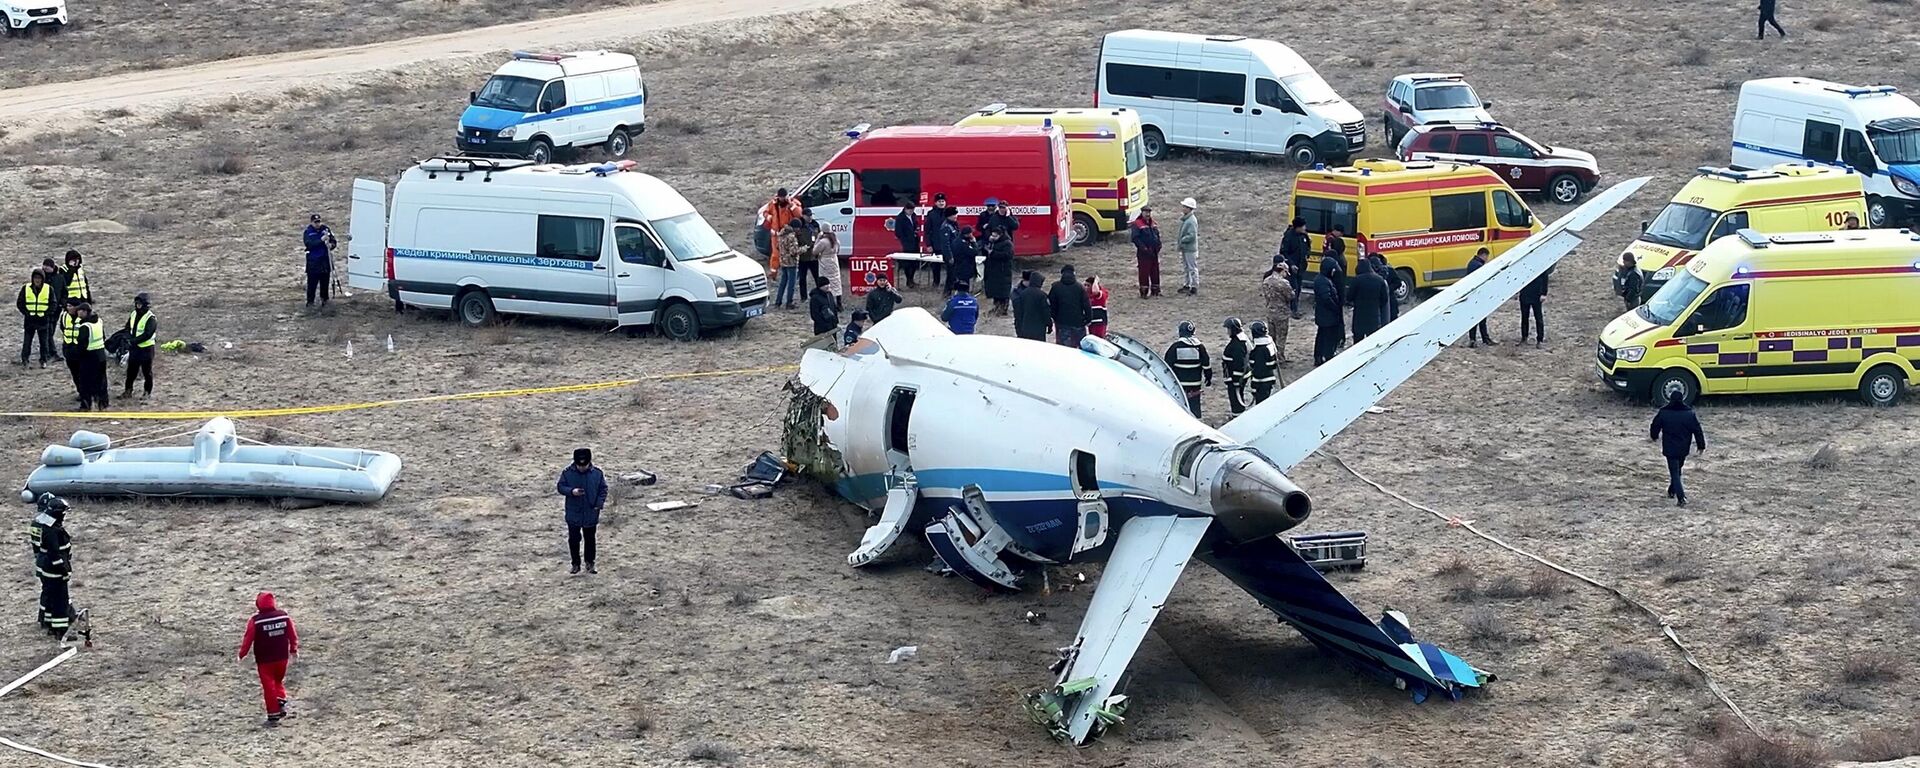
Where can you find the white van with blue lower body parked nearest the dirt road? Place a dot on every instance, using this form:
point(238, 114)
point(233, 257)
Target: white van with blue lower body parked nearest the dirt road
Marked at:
point(540, 103)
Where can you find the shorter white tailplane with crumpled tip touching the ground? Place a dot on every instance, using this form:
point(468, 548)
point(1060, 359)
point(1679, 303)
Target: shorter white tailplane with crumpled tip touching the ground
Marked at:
point(1149, 558)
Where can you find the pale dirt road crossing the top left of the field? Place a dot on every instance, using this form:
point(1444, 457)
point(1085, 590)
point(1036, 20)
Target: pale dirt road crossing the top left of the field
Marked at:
point(59, 107)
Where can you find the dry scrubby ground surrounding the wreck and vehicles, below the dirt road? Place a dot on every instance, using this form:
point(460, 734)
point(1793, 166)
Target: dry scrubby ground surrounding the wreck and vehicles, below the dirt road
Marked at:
point(443, 631)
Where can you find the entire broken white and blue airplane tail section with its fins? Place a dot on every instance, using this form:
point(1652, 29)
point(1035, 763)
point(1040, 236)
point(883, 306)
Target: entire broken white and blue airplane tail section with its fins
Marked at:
point(1005, 452)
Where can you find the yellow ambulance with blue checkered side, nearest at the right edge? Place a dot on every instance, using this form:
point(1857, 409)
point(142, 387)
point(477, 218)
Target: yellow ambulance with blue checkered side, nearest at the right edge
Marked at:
point(1810, 312)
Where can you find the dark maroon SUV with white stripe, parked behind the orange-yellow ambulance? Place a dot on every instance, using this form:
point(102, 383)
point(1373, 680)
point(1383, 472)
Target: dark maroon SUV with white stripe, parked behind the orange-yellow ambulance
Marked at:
point(1556, 172)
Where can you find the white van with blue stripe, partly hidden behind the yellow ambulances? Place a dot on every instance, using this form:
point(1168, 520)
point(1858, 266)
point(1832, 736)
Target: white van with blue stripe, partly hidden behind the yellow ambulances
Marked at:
point(1869, 130)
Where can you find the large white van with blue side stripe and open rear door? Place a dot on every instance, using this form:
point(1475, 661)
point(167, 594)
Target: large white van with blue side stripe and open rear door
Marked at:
point(594, 243)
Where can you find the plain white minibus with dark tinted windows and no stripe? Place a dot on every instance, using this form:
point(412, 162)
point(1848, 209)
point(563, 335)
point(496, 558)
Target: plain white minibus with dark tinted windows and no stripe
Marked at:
point(1226, 93)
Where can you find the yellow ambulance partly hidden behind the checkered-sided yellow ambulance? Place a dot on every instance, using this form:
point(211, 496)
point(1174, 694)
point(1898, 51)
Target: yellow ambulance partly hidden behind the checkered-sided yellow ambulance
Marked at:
point(1719, 203)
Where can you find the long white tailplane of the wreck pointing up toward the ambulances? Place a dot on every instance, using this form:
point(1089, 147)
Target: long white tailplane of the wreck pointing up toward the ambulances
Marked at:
point(1314, 408)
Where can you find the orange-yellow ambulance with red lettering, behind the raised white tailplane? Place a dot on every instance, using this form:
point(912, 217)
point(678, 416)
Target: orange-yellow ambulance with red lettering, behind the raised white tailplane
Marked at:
point(1428, 218)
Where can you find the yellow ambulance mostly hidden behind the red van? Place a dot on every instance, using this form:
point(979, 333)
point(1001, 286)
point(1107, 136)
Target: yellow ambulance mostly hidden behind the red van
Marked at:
point(1107, 162)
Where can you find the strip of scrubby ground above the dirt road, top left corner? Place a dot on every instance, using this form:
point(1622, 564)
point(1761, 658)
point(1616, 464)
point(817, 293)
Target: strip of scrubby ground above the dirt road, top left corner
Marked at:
point(122, 36)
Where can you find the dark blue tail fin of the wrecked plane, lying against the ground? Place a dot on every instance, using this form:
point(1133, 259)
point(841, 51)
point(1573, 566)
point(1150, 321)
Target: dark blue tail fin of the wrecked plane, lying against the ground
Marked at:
point(1274, 573)
